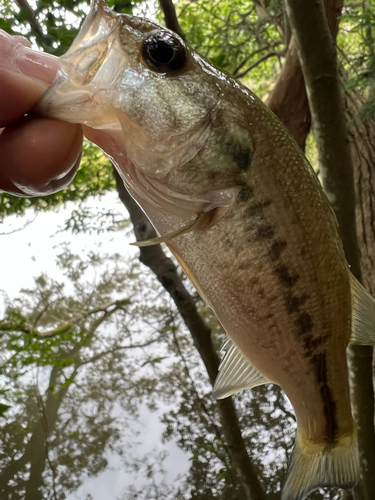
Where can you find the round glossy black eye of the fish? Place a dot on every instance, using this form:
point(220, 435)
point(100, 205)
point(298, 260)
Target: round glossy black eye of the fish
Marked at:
point(164, 52)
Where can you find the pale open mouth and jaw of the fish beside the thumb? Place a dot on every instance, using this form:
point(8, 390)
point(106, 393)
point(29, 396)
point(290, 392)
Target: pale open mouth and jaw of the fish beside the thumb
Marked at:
point(88, 71)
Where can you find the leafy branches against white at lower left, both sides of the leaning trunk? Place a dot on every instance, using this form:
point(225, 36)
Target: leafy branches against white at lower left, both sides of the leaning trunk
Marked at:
point(70, 383)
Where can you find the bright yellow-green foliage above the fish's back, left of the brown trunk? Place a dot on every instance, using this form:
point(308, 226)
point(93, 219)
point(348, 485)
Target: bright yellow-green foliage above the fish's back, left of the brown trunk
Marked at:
point(237, 36)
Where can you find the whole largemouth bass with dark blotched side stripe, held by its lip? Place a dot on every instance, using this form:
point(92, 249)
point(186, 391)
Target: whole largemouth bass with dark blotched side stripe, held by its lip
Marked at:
point(236, 201)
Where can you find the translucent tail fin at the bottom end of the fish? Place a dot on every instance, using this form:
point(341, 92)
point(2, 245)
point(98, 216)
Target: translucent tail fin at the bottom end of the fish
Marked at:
point(312, 466)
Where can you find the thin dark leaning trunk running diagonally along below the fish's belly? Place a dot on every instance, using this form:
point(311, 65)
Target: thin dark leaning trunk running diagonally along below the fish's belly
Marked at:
point(167, 274)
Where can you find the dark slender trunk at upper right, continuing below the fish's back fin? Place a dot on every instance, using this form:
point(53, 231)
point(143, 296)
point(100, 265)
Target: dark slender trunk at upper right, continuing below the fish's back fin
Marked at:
point(318, 62)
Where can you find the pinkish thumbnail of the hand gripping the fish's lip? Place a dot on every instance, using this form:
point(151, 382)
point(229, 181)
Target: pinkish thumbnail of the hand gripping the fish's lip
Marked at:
point(35, 64)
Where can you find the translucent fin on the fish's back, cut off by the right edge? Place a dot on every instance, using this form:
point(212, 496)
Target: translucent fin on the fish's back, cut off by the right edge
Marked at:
point(363, 315)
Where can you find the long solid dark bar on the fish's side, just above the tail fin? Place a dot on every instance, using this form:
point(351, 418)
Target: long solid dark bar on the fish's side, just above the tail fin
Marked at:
point(329, 405)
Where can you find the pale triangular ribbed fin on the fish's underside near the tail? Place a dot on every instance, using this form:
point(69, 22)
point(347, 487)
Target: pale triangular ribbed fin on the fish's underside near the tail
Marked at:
point(236, 373)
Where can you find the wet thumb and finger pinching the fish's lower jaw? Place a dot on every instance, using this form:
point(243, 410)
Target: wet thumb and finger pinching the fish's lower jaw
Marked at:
point(38, 156)
